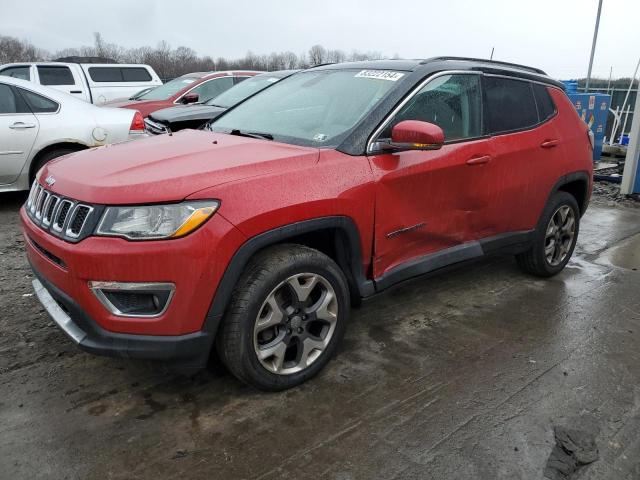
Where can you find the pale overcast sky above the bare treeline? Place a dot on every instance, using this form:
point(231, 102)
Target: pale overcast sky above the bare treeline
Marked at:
point(554, 35)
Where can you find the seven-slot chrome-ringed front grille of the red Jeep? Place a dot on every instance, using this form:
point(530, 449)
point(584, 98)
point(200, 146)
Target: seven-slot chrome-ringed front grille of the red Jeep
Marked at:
point(64, 217)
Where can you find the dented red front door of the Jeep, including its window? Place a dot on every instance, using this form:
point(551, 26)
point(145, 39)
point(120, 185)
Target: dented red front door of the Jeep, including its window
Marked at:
point(429, 201)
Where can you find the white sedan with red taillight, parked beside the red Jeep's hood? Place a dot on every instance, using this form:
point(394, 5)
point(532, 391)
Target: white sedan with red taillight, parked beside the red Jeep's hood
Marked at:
point(38, 124)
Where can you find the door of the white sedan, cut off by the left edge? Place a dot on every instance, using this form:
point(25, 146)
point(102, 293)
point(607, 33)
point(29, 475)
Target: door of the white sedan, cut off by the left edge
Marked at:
point(18, 132)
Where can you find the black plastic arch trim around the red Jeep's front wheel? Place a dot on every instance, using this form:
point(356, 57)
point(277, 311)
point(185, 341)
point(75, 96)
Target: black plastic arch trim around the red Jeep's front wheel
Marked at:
point(348, 249)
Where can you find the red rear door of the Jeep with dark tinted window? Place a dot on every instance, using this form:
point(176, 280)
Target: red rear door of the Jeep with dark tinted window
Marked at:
point(525, 144)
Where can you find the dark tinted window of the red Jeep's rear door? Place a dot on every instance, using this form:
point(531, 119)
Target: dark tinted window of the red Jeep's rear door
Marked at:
point(509, 105)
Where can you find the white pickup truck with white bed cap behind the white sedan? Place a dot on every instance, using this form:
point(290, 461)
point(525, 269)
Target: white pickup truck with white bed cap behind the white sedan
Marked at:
point(91, 82)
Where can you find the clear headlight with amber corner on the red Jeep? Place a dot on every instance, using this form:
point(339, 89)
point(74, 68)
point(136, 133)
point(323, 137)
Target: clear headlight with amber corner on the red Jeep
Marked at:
point(153, 222)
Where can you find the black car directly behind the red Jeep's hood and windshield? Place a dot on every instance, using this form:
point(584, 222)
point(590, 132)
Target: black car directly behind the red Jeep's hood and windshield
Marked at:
point(197, 115)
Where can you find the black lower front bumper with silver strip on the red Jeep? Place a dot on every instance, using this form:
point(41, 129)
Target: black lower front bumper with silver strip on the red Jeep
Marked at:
point(190, 351)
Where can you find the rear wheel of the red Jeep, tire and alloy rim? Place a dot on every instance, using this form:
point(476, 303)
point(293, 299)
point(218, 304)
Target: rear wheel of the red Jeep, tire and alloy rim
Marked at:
point(538, 260)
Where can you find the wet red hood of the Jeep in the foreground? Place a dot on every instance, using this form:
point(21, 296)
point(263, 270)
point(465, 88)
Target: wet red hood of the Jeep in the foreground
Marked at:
point(169, 167)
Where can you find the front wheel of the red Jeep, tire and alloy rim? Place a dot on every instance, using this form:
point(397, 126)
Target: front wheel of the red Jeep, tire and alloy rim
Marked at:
point(285, 319)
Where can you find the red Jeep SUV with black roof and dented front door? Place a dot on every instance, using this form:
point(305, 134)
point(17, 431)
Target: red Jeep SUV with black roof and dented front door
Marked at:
point(255, 237)
